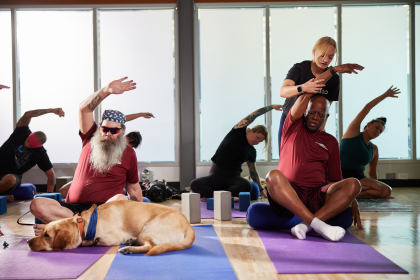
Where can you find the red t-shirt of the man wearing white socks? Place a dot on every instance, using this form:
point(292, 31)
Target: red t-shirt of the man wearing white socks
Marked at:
point(308, 159)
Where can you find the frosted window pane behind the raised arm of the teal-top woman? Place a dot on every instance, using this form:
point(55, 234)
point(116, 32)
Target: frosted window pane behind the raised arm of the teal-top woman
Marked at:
point(385, 54)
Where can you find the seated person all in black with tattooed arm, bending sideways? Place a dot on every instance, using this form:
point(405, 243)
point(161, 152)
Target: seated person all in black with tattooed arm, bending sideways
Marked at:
point(235, 149)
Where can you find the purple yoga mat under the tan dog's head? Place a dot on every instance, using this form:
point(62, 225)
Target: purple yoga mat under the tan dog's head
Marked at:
point(19, 262)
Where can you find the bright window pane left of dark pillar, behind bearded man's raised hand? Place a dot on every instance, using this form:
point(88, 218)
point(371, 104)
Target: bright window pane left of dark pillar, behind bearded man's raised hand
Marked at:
point(140, 44)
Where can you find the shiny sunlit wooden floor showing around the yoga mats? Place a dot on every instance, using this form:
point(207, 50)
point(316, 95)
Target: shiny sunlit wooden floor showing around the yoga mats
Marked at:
point(394, 234)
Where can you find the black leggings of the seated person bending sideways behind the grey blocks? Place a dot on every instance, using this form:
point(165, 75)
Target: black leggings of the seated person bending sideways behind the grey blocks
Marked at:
point(219, 180)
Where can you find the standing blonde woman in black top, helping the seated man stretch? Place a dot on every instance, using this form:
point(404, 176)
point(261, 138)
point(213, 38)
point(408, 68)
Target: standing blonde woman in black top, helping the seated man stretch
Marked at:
point(314, 76)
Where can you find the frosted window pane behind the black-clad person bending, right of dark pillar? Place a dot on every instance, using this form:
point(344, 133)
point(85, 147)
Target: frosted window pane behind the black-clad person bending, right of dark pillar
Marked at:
point(231, 72)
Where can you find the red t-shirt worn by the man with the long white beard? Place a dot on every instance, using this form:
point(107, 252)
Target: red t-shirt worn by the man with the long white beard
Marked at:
point(91, 186)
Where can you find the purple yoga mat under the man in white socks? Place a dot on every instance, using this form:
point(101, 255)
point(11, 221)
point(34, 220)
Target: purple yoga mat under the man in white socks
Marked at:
point(290, 255)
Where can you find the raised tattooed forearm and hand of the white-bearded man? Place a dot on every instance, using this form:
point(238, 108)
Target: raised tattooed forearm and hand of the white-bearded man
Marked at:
point(88, 105)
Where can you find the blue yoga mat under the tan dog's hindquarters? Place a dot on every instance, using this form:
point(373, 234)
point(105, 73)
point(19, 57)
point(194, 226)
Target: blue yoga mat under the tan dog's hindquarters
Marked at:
point(205, 259)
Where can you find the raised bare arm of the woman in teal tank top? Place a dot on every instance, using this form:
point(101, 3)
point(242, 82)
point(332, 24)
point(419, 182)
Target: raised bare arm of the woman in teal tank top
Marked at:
point(354, 127)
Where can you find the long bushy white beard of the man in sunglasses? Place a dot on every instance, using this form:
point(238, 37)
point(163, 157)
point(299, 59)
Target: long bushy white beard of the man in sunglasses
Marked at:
point(104, 155)
